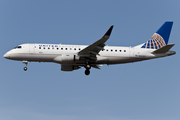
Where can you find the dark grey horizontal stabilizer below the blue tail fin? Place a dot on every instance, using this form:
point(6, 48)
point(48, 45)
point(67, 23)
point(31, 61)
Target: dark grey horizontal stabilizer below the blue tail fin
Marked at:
point(164, 49)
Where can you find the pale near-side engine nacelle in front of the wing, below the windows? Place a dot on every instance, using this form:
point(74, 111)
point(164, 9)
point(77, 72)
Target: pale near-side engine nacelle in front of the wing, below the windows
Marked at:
point(66, 58)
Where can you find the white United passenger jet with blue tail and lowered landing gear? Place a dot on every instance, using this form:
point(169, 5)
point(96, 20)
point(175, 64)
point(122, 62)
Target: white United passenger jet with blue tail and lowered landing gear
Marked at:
point(73, 57)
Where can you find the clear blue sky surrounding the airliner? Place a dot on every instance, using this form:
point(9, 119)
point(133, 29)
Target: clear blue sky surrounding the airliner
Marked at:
point(147, 90)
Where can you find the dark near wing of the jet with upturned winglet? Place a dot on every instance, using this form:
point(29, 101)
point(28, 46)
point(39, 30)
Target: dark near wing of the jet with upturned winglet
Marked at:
point(92, 50)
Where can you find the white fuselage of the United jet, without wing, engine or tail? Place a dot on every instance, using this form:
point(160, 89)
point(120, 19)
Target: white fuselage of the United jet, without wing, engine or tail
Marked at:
point(68, 54)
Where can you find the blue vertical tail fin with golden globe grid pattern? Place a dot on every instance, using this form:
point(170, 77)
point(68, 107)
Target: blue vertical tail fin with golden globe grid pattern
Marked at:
point(160, 38)
